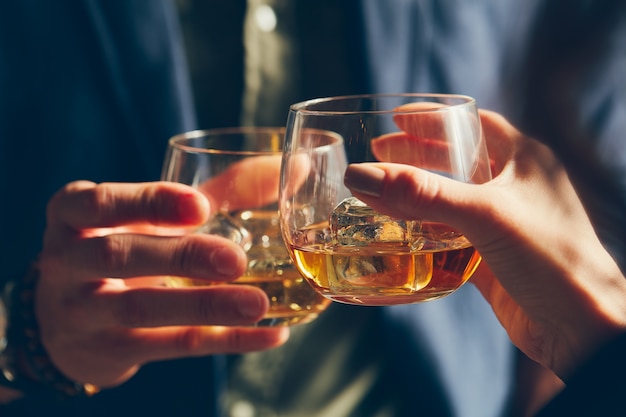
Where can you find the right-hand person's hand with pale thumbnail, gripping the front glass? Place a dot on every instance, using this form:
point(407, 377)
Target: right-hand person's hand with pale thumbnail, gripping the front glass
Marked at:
point(558, 293)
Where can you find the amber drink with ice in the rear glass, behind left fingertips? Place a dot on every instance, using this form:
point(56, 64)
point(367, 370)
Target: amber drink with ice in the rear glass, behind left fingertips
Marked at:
point(292, 299)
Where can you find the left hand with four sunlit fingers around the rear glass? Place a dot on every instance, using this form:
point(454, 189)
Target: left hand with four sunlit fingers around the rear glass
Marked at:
point(101, 316)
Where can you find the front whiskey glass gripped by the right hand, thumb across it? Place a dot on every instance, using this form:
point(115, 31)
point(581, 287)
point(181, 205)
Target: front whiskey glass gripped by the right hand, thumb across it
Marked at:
point(346, 250)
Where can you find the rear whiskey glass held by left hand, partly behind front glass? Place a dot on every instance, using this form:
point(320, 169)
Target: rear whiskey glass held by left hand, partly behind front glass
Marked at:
point(238, 170)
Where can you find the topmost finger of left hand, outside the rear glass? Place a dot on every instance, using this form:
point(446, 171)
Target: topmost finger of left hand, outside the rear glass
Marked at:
point(84, 204)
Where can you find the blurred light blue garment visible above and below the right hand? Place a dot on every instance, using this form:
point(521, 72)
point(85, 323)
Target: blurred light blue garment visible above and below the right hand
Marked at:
point(537, 63)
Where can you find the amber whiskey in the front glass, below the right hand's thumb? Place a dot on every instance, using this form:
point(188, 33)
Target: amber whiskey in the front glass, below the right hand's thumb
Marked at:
point(386, 274)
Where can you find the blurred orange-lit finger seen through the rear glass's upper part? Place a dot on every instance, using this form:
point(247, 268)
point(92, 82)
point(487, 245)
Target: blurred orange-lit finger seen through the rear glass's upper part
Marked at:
point(249, 183)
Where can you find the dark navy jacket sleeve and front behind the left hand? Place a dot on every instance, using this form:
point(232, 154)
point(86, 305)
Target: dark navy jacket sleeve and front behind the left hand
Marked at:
point(91, 90)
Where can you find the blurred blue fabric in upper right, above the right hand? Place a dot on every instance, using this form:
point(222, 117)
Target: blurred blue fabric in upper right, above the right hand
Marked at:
point(556, 69)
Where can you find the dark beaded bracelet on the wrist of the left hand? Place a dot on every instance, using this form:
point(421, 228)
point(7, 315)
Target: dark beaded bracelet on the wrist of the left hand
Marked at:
point(24, 345)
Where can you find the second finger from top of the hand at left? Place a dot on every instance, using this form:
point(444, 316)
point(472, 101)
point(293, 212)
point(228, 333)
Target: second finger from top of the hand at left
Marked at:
point(199, 256)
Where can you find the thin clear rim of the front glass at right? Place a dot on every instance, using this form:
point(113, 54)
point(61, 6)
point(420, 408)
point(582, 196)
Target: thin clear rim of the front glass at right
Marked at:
point(304, 107)
